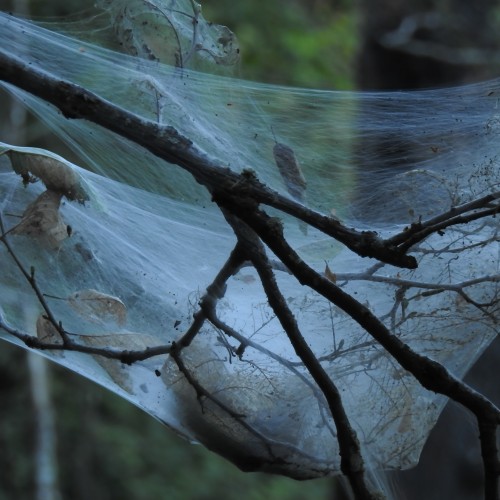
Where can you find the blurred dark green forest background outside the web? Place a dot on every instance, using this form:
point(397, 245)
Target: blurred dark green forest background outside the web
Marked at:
point(62, 437)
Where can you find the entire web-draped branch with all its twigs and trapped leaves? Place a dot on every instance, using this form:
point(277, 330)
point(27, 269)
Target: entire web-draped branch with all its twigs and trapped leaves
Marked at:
point(235, 261)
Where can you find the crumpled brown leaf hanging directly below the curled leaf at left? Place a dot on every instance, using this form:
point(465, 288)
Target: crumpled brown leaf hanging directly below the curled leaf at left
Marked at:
point(42, 220)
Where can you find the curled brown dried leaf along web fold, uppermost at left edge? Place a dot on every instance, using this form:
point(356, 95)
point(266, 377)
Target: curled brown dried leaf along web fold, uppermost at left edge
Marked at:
point(56, 175)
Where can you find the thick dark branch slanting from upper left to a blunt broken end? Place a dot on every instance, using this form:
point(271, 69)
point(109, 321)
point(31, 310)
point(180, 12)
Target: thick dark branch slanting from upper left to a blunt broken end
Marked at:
point(167, 143)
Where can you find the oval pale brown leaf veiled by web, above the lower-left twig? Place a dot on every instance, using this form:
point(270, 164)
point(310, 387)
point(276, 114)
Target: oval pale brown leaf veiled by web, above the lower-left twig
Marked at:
point(98, 307)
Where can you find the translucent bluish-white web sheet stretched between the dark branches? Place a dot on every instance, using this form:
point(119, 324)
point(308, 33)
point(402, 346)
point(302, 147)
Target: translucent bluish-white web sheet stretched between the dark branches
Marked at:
point(126, 267)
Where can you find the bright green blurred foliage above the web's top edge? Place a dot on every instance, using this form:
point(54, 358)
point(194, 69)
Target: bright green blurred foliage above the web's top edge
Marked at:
point(289, 42)
